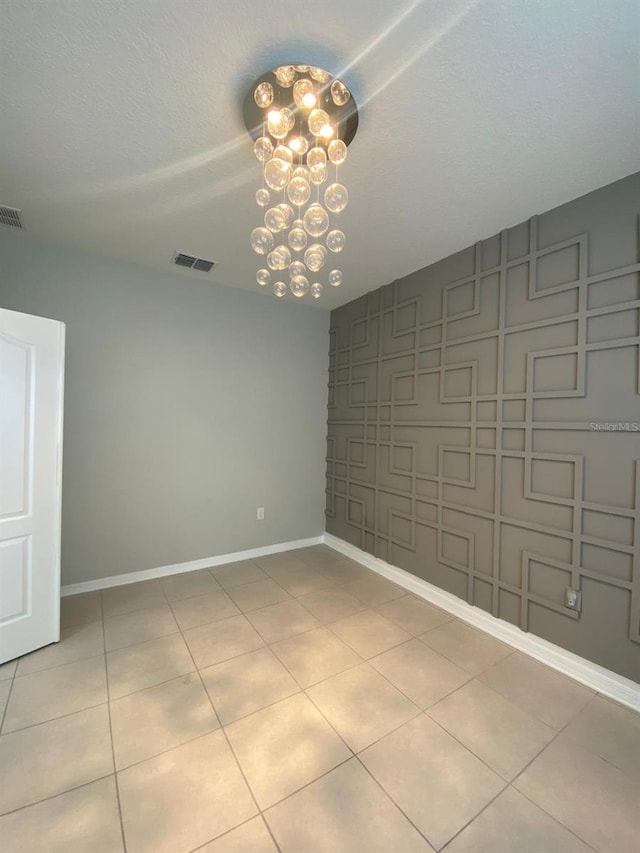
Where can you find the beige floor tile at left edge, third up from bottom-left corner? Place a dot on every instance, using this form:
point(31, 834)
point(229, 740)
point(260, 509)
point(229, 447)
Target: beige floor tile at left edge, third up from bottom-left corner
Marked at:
point(56, 692)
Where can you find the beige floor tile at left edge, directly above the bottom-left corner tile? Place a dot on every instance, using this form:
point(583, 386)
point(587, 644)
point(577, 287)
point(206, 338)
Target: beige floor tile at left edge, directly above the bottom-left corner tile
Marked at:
point(53, 757)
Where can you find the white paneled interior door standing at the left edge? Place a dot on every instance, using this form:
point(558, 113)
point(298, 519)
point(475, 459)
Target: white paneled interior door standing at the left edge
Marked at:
point(31, 394)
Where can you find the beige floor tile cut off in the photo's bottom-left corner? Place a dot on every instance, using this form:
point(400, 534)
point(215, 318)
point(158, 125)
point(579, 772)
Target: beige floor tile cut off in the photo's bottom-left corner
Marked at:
point(86, 820)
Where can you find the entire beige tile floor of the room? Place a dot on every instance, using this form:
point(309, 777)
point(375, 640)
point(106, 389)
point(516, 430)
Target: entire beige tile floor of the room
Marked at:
point(302, 703)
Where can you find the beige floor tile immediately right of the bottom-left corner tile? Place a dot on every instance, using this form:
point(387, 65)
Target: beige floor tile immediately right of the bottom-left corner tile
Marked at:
point(183, 798)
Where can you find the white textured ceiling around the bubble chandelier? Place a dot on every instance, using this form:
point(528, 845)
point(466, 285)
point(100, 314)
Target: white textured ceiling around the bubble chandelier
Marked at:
point(121, 128)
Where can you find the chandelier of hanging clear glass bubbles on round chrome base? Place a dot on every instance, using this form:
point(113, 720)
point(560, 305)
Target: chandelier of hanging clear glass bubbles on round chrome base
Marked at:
point(301, 120)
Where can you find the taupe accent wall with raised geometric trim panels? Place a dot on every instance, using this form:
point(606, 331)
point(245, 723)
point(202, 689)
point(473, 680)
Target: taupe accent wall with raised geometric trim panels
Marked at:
point(484, 425)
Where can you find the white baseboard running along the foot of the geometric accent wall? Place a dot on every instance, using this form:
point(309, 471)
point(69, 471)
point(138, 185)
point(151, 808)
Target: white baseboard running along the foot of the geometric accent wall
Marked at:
point(596, 677)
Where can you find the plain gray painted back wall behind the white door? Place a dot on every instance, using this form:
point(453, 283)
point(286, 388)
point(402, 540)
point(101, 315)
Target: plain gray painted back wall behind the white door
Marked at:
point(187, 406)
